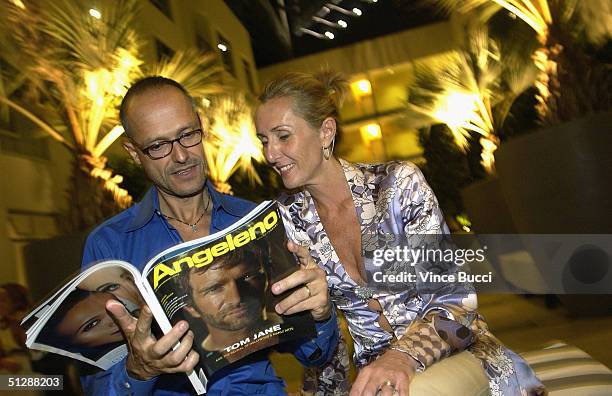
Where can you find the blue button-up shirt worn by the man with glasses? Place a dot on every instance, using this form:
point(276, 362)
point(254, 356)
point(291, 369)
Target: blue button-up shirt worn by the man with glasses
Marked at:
point(139, 233)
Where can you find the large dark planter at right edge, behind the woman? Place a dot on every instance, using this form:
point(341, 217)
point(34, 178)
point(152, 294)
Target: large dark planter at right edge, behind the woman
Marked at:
point(557, 181)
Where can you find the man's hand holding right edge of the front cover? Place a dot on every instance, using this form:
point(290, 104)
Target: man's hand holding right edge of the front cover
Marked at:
point(313, 294)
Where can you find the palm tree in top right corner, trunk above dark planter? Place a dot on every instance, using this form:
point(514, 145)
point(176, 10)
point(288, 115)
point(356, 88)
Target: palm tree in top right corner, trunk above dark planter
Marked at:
point(570, 82)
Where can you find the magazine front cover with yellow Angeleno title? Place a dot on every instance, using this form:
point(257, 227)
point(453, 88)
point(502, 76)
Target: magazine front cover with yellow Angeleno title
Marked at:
point(221, 286)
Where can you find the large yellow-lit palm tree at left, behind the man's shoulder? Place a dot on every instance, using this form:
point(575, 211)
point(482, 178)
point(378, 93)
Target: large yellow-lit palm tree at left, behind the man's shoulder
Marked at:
point(66, 72)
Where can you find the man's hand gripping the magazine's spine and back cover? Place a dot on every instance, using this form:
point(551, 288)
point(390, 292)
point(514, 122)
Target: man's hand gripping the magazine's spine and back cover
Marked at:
point(148, 357)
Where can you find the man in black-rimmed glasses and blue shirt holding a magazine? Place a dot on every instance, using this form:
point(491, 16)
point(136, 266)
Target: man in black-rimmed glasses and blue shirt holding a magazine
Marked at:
point(165, 137)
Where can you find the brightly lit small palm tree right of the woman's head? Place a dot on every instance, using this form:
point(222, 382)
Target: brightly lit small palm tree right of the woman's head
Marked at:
point(469, 91)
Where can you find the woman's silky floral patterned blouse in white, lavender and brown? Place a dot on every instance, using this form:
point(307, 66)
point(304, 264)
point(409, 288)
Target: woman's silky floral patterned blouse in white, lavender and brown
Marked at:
point(393, 200)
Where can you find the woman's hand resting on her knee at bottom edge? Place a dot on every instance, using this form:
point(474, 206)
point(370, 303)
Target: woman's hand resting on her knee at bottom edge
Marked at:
point(391, 373)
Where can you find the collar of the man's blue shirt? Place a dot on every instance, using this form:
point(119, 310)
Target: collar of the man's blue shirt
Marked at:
point(150, 204)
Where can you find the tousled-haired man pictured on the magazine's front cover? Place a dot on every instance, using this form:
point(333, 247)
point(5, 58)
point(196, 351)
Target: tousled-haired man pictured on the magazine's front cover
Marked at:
point(228, 297)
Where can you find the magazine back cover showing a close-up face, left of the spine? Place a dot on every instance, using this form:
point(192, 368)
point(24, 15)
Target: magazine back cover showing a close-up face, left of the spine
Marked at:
point(75, 322)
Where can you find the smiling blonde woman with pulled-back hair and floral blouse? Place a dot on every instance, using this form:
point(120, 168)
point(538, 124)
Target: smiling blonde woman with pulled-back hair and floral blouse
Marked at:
point(346, 212)
